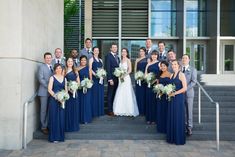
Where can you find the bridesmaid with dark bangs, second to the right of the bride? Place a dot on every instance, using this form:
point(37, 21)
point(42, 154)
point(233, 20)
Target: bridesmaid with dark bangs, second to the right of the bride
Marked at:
point(151, 100)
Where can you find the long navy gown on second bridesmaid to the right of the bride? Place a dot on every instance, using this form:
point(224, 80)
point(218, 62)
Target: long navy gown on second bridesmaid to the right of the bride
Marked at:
point(151, 100)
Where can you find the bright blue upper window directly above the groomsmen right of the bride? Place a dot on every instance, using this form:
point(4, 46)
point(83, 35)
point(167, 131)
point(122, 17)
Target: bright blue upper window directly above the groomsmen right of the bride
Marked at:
point(163, 18)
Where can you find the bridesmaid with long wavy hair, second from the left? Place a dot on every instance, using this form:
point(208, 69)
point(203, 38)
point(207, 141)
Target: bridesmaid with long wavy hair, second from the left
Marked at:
point(72, 105)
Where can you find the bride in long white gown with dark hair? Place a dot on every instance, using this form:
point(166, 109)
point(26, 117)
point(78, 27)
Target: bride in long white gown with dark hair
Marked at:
point(125, 101)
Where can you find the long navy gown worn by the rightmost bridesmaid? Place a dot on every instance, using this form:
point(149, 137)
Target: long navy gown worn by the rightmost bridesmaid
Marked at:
point(175, 115)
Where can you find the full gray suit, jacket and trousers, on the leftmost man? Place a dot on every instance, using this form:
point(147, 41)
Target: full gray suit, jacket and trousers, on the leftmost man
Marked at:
point(44, 73)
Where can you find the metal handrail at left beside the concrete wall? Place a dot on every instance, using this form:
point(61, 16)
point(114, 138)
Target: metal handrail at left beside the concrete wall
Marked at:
point(25, 118)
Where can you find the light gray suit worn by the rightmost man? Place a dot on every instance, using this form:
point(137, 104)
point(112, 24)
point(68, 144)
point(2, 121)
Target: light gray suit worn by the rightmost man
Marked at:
point(191, 77)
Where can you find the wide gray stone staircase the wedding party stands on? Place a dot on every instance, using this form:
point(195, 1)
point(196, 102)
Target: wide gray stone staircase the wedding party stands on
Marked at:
point(117, 128)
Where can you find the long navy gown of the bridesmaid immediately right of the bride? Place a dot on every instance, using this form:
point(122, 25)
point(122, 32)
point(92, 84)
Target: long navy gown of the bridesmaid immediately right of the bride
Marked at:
point(140, 91)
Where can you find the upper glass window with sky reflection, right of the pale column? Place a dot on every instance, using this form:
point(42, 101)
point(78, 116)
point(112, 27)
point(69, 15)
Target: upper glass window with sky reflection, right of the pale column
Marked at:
point(196, 18)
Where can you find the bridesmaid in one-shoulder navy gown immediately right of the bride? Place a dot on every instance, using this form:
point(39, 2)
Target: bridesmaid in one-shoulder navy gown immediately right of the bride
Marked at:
point(140, 65)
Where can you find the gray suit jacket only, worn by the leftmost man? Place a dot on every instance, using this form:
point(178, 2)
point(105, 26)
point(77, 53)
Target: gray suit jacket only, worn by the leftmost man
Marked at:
point(44, 74)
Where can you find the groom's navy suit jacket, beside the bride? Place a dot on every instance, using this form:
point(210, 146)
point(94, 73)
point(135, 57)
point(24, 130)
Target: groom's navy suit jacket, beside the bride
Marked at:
point(110, 65)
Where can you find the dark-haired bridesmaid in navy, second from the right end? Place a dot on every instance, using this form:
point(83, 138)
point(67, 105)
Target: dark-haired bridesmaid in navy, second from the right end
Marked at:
point(162, 105)
